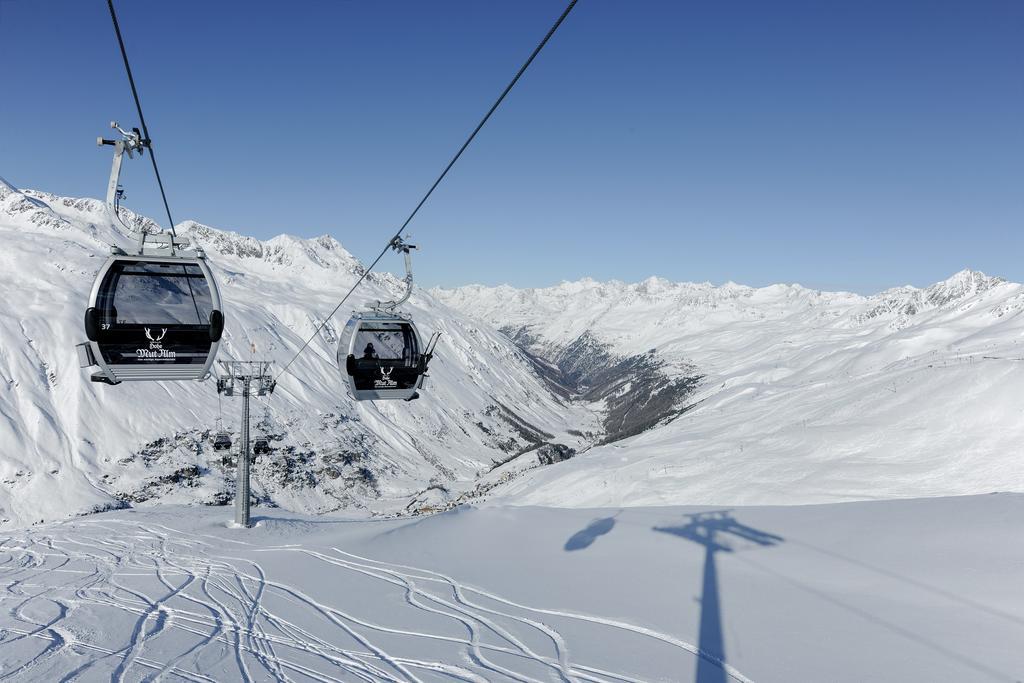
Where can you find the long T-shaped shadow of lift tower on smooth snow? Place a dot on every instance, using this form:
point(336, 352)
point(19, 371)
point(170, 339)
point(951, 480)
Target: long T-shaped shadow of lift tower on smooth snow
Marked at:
point(712, 530)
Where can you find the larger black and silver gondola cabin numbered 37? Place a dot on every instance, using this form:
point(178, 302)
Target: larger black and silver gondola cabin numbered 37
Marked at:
point(153, 318)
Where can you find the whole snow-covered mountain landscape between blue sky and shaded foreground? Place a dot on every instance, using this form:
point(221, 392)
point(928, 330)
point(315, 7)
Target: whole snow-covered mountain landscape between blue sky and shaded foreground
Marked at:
point(670, 394)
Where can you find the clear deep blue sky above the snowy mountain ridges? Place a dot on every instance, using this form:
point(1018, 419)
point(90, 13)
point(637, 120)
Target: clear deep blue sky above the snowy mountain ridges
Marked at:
point(840, 145)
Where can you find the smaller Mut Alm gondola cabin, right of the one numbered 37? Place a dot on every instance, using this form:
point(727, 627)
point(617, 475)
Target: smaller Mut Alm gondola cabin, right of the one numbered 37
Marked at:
point(382, 356)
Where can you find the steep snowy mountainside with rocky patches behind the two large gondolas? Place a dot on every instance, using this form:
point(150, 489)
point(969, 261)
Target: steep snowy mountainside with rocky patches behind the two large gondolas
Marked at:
point(68, 446)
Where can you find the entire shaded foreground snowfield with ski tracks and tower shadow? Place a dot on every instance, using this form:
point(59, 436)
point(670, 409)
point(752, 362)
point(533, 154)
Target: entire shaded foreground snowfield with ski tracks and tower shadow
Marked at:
point(923, 590)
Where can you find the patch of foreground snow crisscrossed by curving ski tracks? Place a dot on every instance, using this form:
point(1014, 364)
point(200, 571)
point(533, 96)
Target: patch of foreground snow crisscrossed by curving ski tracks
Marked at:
point(127, 602)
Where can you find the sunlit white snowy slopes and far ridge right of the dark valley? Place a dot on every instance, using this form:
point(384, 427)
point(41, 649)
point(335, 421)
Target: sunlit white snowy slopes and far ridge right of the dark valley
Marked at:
point(804, 397)
